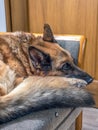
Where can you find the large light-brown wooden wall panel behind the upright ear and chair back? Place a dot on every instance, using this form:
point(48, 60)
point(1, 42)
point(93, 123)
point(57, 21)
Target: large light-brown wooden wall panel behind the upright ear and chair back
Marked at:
point(69, 17)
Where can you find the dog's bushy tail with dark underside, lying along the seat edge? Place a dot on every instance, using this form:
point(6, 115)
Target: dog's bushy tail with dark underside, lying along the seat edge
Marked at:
point(19, 103)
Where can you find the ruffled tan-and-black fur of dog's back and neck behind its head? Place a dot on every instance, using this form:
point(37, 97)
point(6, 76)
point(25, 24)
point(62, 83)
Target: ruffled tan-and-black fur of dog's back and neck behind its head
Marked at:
point(14, 52)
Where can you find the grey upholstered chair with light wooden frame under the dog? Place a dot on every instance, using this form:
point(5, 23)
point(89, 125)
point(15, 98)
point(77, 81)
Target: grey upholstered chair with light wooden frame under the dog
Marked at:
point(58, 119)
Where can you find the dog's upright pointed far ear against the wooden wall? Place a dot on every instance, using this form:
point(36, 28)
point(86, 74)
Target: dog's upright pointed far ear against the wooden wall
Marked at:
point(48, 34)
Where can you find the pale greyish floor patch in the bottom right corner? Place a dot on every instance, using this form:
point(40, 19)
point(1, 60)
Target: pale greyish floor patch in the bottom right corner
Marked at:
point(90, 119)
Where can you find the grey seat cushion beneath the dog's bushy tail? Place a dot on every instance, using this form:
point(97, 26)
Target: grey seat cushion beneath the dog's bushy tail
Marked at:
point(43, 120)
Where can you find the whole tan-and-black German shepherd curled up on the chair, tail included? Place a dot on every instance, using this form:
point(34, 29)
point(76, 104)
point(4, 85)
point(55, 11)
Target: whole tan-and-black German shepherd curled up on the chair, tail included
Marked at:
point(37, 74)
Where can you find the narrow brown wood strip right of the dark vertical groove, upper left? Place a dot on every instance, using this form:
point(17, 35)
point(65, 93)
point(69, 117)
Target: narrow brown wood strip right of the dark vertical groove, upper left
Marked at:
point(19, 15)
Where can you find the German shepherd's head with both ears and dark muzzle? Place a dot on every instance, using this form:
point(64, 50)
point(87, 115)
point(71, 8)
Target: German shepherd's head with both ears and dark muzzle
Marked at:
point(48, 58)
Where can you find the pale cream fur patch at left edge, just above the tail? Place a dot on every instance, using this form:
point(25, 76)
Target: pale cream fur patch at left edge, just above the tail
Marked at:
point(7, 78)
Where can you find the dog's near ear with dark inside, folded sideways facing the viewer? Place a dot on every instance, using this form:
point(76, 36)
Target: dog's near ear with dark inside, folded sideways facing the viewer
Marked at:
point(40, 60)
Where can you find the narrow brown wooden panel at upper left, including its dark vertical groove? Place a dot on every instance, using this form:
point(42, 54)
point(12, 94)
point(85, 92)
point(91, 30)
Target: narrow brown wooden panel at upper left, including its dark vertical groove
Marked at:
point(16, 15)
